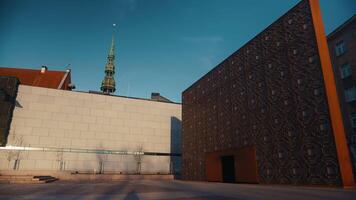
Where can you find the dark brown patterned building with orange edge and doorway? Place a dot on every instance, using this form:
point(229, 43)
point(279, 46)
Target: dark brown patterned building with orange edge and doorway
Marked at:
point(269, 113)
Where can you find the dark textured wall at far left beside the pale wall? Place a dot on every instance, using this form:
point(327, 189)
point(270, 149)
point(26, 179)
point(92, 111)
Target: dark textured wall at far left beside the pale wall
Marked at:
point(8, 92)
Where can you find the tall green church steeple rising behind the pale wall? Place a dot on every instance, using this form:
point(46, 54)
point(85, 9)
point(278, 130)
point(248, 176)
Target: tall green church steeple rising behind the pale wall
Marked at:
point(108, 84)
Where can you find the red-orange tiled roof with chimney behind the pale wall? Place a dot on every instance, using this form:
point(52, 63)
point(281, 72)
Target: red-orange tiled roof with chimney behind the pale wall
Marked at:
point(33, 77)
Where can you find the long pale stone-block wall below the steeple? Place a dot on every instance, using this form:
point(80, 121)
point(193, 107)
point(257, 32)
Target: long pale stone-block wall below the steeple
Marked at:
point(66, 121)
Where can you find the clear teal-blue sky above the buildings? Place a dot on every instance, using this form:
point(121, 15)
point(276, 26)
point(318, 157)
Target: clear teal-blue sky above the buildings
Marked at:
point(162, 45)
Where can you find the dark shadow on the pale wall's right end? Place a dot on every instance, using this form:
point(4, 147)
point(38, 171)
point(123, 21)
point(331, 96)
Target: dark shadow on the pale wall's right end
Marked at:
point(176, 150)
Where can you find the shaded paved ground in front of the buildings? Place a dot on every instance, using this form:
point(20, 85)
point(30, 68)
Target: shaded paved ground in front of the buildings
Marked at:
point(173, 190)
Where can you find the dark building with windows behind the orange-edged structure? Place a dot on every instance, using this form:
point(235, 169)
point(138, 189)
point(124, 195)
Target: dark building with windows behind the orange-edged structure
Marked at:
point(342, 47)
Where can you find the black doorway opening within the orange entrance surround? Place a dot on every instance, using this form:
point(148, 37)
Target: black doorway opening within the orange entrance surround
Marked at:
point(228, 169)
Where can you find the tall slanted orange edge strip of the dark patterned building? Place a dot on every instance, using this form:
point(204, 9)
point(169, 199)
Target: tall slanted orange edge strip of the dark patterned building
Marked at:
point(333, 101)
